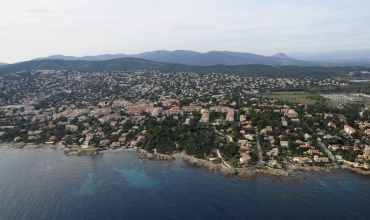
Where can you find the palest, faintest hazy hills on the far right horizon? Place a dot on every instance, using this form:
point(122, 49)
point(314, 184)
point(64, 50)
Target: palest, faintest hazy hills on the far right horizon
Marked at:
point(344, 55)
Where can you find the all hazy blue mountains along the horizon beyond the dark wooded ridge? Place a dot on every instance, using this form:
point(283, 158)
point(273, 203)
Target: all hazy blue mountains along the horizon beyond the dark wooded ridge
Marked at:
point(340, 57)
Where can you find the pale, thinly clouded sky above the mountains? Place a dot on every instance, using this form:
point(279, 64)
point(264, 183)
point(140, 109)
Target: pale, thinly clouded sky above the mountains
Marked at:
point(40, 28)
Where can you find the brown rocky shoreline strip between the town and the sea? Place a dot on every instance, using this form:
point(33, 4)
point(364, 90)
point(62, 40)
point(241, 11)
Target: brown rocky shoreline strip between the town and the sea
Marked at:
point(250, 173)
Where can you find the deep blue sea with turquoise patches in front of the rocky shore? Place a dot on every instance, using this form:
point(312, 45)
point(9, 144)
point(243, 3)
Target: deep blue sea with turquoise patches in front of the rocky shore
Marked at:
point(45, 184)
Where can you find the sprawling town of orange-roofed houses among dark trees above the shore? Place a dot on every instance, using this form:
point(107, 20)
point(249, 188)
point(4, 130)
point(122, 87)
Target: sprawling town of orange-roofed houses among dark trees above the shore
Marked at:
point(141, 109)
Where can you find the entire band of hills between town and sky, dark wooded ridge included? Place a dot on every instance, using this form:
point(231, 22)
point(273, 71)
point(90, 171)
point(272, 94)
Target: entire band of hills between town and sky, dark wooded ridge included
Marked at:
point(185, 60)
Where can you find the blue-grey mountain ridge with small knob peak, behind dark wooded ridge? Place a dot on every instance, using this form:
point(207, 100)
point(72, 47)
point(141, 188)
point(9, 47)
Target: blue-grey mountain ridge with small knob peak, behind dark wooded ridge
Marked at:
point(192, 58)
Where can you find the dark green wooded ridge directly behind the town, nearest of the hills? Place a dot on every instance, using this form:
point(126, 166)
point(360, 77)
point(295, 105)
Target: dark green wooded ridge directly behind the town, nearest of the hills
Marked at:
point(124, 64)
